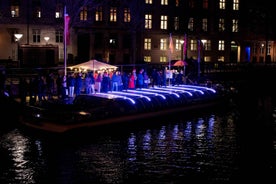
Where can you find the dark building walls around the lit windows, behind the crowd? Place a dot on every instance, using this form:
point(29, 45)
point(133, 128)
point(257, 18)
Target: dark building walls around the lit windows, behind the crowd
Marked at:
point(81, 50)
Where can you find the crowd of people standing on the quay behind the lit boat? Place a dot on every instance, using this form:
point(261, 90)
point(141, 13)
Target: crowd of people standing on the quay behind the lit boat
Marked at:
point(57, 86)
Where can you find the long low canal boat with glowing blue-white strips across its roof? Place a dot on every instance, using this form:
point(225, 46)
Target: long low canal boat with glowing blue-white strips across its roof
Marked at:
point(118, 107)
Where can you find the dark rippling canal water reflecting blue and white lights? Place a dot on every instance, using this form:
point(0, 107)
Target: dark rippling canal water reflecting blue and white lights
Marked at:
point(219, 146)
